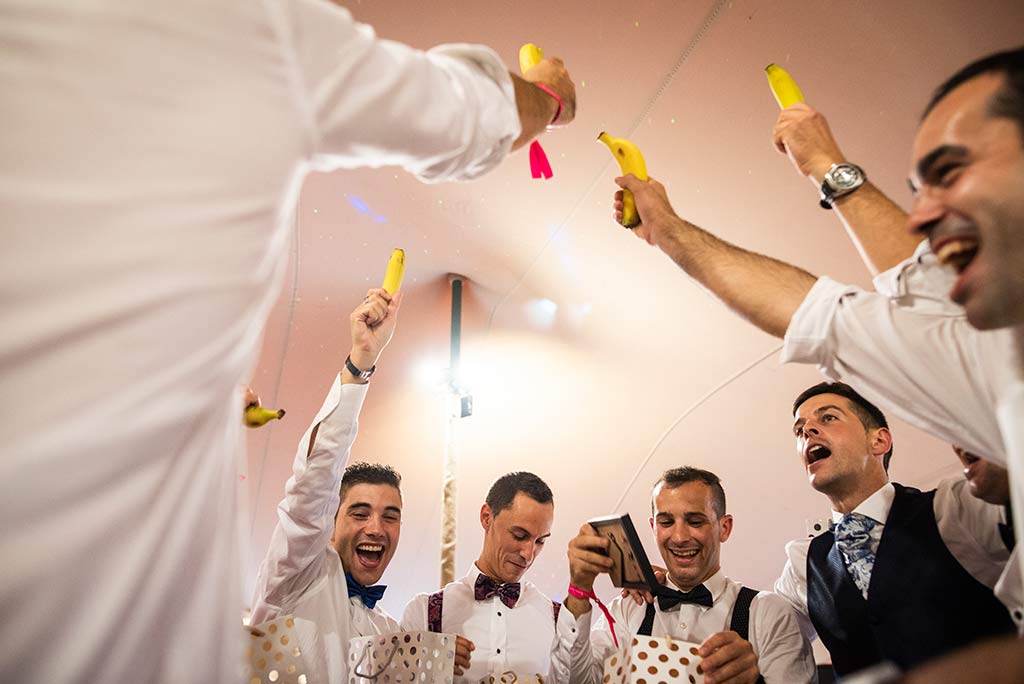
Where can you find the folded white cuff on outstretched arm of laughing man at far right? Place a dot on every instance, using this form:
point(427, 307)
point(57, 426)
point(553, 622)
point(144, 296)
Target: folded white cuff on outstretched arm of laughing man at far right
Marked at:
point(810, 328)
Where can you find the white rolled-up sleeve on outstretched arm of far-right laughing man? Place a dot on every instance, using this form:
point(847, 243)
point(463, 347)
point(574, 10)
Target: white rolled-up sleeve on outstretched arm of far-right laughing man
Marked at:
point(932, 370)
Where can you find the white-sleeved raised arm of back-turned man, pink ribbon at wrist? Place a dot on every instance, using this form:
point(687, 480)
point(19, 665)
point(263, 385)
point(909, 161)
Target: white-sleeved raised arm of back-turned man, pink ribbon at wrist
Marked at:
point(452, 113)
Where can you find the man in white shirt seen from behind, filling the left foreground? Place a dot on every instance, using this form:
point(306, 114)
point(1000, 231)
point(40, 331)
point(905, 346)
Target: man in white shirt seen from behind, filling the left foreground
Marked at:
point(151, 156)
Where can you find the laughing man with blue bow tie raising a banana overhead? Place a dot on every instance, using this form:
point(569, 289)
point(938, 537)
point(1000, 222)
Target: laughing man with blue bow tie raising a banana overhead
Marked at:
point(338, 528)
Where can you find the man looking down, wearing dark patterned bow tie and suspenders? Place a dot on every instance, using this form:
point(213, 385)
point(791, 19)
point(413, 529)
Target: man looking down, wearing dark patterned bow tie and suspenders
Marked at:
point(504, 622)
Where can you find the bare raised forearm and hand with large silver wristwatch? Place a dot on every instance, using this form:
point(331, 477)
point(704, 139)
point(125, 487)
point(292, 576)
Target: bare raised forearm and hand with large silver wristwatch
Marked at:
point(876, 225)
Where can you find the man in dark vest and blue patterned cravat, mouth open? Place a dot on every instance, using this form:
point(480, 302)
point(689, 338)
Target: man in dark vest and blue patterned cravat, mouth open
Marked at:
point(901, 568)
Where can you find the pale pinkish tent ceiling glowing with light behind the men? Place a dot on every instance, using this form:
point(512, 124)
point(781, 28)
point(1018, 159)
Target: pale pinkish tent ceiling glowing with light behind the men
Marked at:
point(583, 398)
